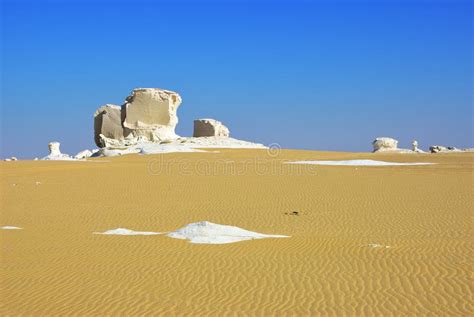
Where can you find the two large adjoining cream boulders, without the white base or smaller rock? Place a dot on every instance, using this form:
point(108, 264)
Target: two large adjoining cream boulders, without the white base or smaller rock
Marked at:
point(148, 114)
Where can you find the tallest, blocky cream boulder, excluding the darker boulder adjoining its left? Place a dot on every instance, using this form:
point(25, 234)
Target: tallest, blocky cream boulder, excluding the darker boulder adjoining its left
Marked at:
point(152, 113)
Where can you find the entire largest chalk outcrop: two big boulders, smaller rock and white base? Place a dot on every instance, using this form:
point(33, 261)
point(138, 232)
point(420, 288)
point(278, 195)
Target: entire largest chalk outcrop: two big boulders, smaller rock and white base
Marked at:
point(146, 124)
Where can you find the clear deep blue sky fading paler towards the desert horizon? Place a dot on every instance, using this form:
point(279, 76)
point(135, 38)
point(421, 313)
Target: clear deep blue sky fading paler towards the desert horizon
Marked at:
point(324, 75)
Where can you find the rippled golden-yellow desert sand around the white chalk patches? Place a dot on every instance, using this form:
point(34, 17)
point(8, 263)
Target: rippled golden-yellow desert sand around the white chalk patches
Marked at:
point(336, 261)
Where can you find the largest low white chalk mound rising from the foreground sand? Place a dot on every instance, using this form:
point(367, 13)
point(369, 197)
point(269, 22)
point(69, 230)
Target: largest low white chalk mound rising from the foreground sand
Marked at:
point(212, 233)
